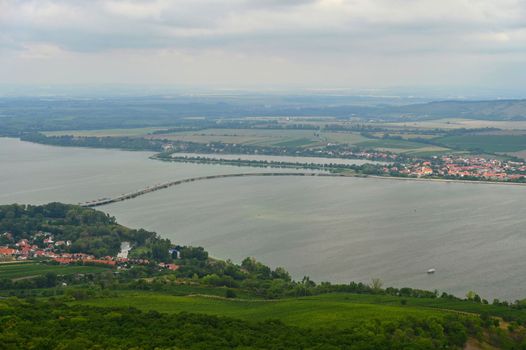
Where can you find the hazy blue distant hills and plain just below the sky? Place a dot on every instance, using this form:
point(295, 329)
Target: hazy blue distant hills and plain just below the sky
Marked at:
point(36, 114)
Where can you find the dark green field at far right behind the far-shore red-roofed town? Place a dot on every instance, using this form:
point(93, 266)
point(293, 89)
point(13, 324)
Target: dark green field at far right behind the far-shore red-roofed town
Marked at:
point(486, 143)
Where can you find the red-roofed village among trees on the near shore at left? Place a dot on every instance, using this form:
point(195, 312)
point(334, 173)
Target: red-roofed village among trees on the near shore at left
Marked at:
point(42, 246)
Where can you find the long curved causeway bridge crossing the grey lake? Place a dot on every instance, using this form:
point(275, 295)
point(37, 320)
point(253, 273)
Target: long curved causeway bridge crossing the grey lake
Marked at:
point(121, 198)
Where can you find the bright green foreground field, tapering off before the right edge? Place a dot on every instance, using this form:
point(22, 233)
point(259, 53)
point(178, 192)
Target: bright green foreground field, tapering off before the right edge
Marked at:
point(332, 310)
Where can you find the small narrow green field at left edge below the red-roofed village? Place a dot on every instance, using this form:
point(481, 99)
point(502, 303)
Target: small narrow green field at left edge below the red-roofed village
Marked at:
point(27, 270)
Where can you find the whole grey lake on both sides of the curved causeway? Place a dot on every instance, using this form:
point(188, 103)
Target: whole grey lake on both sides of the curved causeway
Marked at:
point(336, 229)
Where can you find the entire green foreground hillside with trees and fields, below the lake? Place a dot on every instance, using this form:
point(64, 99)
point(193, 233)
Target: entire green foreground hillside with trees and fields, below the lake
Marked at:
point(208, 303)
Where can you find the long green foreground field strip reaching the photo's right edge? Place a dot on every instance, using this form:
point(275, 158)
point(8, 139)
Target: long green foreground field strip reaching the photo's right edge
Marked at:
point(334, 310)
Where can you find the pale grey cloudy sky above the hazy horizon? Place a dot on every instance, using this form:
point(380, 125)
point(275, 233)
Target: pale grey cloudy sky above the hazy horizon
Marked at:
point(265, 43)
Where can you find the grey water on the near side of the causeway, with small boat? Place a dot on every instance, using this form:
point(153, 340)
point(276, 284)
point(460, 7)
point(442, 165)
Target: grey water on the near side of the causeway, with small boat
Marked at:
point(343, 229)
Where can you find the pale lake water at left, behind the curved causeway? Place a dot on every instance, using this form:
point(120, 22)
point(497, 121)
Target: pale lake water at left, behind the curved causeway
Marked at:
point(35, 174)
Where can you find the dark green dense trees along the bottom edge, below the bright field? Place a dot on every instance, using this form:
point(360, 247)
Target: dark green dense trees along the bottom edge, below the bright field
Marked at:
point(31, 324)
